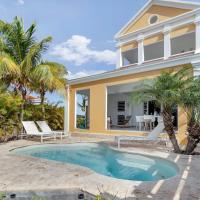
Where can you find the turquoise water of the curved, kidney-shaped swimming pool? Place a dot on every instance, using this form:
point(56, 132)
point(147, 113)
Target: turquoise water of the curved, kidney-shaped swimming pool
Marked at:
point(104, 160)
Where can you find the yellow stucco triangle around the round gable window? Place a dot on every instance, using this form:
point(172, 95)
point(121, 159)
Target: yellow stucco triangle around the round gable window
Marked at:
point(163, 12)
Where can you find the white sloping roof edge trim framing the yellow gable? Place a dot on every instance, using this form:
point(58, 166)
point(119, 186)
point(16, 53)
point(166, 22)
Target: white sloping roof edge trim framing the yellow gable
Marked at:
point(168, 3)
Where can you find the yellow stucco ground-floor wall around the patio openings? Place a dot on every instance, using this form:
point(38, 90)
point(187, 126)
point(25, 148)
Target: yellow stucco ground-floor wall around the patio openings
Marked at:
point(98, 103)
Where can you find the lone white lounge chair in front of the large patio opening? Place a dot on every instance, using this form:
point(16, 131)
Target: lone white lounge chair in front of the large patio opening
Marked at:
point(152, 136)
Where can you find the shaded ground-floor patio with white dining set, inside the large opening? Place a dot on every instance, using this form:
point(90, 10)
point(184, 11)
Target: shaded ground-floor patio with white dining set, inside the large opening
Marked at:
point(125, 114)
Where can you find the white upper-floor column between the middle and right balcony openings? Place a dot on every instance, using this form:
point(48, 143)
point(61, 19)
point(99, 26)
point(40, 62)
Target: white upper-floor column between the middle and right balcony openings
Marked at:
point(167, 42)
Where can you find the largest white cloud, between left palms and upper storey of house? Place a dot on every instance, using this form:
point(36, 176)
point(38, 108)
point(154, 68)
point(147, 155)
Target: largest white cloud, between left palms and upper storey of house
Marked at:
point(77, 49)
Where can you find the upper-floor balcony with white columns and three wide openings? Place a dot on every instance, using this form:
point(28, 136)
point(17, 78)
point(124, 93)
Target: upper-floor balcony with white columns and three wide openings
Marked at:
point(179, 36)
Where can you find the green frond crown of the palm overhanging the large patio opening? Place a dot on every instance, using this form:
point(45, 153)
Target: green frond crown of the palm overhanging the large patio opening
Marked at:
point(165, 89)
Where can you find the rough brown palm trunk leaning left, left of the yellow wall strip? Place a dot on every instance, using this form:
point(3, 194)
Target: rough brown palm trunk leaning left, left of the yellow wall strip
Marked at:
point(169, 127)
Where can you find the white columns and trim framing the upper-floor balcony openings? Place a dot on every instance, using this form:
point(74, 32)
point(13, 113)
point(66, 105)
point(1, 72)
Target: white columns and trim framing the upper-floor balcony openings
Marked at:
point(192, 17)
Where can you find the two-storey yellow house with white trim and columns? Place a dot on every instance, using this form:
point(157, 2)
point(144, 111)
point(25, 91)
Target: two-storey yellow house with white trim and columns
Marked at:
point(163, 35)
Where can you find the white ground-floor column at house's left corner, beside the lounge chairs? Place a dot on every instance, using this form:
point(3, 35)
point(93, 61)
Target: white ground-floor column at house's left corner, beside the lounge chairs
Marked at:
point(66, 112)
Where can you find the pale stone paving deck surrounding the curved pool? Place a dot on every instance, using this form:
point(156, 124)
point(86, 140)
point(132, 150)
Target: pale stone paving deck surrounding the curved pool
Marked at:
point(21, 173)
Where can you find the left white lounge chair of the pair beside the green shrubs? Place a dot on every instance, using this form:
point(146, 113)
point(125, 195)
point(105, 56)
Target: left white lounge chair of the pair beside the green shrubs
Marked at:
point(32, 130)
